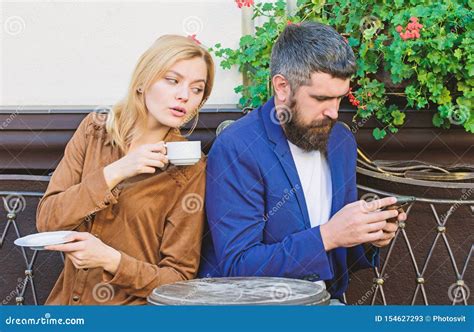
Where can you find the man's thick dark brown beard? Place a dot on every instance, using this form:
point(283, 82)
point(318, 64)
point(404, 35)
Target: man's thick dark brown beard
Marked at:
point(311, 137)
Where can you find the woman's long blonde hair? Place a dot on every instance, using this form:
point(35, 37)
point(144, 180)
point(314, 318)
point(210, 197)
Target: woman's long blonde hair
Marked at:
point(129, 115)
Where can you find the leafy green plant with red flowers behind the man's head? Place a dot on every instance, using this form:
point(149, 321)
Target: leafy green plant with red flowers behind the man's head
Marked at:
point(420, 51)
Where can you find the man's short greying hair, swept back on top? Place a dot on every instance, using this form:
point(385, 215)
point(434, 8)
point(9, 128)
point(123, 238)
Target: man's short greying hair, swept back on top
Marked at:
point(309, 47)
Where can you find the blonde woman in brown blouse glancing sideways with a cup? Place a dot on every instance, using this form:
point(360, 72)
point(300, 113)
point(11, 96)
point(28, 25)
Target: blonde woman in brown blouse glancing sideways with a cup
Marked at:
point(139, 220)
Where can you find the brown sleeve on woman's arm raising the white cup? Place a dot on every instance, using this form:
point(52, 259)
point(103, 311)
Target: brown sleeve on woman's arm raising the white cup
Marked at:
point(71, 195)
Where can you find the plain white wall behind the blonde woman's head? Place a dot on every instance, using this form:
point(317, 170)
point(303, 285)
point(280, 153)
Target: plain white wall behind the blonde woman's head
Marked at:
point(83, 52)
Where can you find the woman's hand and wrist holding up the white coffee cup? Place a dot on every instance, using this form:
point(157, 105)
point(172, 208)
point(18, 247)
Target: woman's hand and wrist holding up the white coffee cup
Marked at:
point(144, 159)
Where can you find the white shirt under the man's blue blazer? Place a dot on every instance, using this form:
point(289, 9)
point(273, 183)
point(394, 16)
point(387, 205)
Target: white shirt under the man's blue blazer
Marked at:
point(315, 177)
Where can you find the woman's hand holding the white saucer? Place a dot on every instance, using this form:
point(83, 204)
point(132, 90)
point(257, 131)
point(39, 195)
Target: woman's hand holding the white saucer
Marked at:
point(89, 252)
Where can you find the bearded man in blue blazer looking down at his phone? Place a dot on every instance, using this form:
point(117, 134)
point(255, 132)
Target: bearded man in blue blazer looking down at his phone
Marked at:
point(281, 197)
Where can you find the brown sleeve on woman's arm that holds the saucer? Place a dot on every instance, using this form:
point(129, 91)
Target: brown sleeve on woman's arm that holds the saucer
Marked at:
point(180, 248)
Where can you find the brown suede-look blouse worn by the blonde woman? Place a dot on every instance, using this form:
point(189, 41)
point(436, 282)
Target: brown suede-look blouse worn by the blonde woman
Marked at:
point(154, 220)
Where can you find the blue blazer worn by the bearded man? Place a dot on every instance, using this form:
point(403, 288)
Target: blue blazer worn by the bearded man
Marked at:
point(258, 223)
